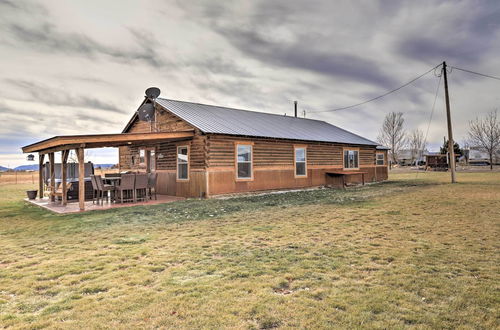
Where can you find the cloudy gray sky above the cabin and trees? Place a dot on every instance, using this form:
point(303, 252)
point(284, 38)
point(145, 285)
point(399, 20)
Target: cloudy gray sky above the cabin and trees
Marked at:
point(81, 67)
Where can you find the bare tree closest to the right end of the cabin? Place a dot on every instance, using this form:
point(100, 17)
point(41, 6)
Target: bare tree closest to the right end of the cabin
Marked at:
point(392, 134)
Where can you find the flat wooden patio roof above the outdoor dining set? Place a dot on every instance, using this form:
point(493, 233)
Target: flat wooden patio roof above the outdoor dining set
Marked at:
point(66, 142)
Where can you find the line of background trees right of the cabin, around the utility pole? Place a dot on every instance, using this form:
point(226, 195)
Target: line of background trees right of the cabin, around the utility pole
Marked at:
point(483, 135)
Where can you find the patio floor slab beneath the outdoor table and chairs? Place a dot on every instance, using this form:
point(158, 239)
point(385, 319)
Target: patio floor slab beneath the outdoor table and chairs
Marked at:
point(73, 207)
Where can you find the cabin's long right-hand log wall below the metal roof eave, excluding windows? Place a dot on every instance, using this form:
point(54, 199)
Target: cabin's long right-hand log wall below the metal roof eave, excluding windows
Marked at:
point(273, 164)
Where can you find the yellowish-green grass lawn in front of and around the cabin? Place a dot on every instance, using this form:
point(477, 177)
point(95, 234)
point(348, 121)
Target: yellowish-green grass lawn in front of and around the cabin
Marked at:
point(411, 252)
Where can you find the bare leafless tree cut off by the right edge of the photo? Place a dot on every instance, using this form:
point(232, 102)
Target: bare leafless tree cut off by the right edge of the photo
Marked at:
point(484, 134)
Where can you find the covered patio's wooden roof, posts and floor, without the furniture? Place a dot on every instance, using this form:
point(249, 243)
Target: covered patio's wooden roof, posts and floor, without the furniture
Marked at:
point(79, 143)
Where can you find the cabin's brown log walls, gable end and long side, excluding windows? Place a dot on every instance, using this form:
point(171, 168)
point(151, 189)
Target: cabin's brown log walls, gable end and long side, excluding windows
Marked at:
point(212, 162)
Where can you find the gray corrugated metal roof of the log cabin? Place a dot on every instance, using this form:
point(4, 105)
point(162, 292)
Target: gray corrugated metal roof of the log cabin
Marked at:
point(221, 120)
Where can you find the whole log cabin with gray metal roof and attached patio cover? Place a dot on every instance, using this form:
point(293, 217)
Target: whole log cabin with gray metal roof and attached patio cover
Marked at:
point(201, 150)
